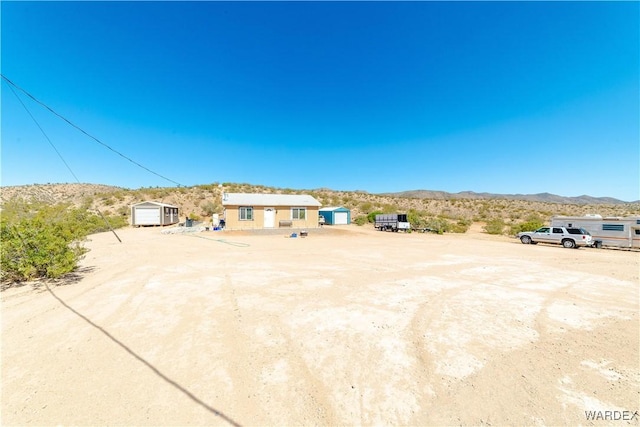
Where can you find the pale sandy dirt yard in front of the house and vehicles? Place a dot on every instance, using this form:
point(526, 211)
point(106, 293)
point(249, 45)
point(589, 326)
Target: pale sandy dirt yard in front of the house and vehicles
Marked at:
point(347, 326)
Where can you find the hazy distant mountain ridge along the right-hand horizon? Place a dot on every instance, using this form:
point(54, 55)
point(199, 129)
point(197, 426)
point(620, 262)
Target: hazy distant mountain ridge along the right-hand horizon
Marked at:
point(540, 197)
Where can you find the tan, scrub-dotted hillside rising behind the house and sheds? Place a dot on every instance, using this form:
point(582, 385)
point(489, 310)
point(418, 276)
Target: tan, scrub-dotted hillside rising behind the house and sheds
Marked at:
point(204, 200)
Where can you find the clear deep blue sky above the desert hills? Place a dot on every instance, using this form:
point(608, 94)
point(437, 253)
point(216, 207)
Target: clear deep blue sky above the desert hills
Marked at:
point(501, 97)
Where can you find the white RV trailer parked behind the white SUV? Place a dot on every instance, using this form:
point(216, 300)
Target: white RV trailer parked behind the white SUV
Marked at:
point(621, 232)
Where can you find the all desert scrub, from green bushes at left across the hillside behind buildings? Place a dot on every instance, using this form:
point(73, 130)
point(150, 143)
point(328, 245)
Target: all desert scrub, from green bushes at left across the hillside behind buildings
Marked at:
point(43, 226)
